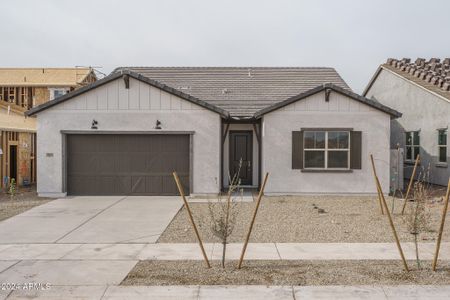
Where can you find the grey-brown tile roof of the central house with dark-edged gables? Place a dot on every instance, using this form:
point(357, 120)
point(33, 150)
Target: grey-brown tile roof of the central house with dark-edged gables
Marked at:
point(233, 95)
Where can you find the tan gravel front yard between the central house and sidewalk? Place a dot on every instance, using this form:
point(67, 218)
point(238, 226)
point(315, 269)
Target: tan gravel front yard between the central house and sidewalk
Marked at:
point(305, 219)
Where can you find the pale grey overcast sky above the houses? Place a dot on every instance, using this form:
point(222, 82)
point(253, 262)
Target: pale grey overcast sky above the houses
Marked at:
point(352, 36)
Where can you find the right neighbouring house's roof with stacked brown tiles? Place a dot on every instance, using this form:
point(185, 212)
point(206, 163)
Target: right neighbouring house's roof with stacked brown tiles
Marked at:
point(432, 75)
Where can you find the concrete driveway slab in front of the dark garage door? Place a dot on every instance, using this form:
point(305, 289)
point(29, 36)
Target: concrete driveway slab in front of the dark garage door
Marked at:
point(91, 220)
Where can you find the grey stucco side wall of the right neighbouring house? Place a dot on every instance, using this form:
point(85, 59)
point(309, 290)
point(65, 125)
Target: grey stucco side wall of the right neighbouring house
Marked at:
point(422, 111)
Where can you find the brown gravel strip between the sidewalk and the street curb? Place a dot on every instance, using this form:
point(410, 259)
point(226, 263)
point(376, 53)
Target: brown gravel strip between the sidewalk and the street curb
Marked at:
point(284, 273)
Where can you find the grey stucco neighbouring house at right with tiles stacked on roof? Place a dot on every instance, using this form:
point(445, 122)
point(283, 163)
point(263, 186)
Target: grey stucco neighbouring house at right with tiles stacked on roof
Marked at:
point(421, 91)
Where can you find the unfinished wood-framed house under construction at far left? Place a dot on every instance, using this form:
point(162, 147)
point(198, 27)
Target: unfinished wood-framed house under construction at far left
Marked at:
point(22, 89)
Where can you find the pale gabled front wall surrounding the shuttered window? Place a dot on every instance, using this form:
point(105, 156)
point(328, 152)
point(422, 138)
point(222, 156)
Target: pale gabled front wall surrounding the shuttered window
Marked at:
point(279, 131)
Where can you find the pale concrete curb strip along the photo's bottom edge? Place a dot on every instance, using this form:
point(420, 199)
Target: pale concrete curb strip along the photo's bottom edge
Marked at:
point(236, 292)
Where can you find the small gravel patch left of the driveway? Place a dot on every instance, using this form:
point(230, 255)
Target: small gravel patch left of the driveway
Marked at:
point(25, 199)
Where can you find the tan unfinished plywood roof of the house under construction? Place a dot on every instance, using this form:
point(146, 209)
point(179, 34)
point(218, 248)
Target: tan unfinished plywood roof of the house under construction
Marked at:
point(51, 77)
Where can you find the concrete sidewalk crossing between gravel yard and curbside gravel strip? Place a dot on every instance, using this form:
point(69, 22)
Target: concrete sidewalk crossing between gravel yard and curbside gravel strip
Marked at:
point(255, 251)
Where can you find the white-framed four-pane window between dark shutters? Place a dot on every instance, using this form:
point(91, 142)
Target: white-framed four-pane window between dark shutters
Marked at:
point(328, 150)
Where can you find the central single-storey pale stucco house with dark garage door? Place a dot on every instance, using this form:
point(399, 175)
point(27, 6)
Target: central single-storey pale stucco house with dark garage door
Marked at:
point(126, 133)
